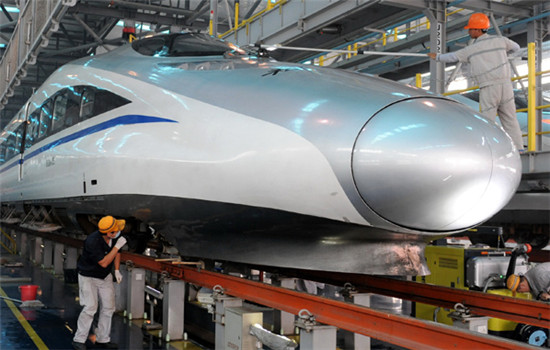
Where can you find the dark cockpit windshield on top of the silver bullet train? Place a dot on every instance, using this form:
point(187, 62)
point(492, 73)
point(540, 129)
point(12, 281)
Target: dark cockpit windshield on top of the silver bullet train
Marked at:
point(188, 44)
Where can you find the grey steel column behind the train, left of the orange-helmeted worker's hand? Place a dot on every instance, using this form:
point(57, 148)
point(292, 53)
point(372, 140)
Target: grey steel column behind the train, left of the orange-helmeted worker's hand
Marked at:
point(438, 43)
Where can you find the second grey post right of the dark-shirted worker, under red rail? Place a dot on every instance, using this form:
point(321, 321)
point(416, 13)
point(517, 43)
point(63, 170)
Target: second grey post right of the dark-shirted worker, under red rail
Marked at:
point(173, 310)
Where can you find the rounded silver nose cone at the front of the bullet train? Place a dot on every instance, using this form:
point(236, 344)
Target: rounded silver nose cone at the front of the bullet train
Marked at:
point(434, 165)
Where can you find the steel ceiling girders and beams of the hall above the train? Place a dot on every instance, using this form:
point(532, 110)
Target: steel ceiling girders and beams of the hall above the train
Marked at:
point(38, 36)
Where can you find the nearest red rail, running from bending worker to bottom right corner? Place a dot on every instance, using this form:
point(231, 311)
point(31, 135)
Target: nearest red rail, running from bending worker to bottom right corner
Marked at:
point(400, 330)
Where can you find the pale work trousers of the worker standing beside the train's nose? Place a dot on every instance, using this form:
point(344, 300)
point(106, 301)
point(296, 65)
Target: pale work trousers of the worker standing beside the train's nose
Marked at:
point(499, 99)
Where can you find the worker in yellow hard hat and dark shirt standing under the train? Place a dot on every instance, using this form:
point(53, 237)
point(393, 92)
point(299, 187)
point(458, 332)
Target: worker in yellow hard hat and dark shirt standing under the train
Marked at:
point(96, 289)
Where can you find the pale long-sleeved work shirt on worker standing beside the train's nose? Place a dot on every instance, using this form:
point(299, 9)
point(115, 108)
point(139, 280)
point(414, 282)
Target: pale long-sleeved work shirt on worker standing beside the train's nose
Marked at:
point(488, 59)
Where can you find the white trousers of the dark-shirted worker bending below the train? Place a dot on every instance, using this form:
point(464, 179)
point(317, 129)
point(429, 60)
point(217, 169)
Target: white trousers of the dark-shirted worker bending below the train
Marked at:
point(94, 292)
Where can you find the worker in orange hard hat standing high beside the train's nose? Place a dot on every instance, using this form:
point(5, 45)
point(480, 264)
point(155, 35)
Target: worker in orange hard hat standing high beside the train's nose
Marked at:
point(490, 69)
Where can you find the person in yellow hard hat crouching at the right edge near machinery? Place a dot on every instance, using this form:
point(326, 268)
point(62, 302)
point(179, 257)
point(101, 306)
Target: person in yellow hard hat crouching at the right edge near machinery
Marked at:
point(536, 281)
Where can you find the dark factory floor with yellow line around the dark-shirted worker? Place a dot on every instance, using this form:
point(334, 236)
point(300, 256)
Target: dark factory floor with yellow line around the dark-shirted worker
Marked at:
point(52, 326)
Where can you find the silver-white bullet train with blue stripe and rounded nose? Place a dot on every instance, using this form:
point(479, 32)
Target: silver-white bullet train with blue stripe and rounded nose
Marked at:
point(230, 155)
